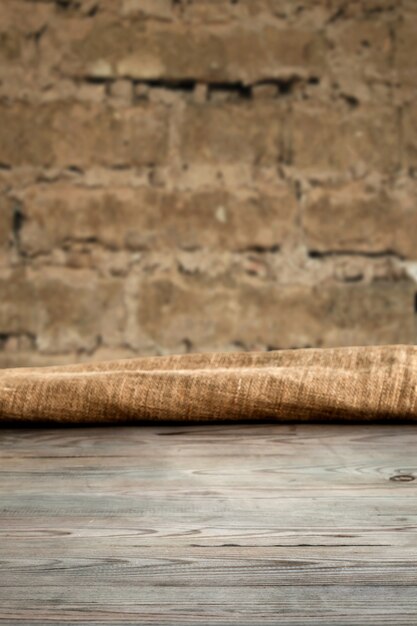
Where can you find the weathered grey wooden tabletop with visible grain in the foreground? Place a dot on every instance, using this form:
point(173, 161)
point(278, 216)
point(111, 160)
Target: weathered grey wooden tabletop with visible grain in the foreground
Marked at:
point(268, 524)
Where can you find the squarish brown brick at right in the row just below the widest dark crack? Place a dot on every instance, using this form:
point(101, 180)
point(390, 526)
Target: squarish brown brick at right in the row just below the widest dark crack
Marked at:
point(345, 139)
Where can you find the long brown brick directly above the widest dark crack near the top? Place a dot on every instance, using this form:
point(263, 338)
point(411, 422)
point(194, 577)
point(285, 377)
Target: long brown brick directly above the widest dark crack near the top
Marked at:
point(239, 53)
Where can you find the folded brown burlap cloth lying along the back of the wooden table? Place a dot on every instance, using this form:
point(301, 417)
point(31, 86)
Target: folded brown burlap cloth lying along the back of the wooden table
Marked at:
point(335, 384)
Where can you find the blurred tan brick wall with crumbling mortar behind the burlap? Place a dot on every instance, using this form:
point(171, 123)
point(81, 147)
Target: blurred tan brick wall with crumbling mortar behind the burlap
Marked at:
point(205, 174)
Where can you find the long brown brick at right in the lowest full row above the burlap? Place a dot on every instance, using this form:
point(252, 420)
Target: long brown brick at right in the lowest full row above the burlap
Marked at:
point(211, 316)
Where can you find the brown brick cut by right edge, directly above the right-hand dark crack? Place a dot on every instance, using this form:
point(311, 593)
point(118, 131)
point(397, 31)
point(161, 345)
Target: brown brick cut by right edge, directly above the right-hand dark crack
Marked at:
point(352, 218)
